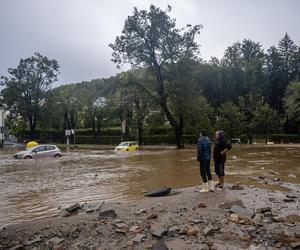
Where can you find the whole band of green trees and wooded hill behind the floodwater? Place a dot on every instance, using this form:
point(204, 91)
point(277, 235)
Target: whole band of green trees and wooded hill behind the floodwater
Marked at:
point(168, 90)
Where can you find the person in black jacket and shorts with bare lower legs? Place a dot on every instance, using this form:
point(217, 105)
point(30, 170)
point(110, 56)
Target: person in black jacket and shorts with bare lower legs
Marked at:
point(220, 149)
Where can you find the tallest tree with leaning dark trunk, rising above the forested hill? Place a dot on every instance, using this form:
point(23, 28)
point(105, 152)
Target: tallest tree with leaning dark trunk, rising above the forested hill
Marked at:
point(151, 39)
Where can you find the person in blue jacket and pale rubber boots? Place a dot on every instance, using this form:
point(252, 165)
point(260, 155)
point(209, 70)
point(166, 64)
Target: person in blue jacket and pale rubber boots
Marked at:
point(204, 157)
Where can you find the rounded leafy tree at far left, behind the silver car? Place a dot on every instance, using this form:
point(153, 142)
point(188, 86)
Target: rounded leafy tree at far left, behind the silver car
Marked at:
point(26, 88)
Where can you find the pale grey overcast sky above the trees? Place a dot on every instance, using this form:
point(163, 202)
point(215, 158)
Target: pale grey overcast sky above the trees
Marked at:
point(77, 32)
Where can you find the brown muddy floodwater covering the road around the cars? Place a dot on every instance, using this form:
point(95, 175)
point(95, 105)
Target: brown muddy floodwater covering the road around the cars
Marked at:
point(32, 189)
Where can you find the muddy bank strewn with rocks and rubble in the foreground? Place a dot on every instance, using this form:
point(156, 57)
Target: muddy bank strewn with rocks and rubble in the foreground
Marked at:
point(238, 217)
